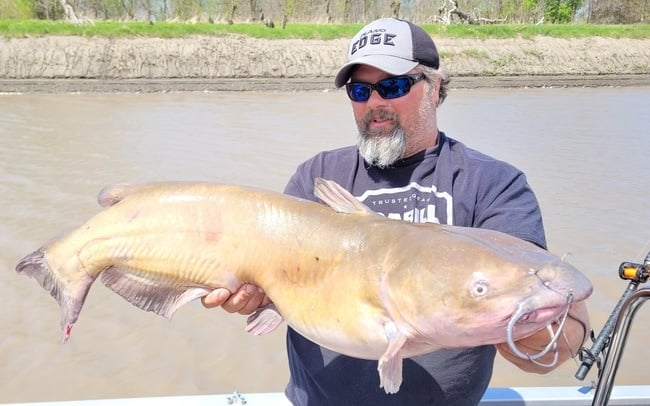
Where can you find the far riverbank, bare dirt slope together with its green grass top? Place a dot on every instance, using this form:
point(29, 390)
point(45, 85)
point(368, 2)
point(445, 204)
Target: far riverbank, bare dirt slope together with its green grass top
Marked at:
point(54, 57)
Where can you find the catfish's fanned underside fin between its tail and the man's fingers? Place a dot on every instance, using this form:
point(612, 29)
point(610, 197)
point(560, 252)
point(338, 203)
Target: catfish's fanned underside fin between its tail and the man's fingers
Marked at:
point(153, 293)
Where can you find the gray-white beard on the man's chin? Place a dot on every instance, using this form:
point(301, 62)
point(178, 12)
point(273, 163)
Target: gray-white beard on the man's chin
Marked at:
point(382, 150)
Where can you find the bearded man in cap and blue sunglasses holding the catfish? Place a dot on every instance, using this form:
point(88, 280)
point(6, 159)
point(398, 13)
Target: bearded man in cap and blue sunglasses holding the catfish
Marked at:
point(405, 168)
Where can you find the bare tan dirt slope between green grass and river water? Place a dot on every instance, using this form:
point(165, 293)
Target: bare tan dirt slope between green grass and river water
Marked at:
point(234, 62)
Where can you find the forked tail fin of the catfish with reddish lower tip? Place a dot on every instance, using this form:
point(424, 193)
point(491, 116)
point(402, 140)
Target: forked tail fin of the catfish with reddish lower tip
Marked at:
point(69, 293)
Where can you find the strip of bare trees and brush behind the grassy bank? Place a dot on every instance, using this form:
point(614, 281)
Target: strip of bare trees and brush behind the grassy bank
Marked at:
point(344, 11)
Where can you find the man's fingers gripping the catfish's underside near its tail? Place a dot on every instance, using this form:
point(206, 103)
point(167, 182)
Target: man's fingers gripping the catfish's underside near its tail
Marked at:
point(244, 300)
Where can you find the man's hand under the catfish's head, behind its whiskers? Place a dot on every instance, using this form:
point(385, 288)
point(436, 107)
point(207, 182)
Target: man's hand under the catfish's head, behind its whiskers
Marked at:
point(575, 332)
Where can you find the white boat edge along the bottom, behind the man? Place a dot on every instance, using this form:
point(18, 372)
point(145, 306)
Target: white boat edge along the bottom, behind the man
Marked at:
point(498, 396)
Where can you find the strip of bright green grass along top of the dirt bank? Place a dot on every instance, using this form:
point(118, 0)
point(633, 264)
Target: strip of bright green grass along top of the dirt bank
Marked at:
point(24, 28)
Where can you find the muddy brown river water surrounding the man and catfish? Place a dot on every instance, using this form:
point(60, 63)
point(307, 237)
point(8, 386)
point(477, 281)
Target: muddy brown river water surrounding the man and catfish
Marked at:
point(586, 152)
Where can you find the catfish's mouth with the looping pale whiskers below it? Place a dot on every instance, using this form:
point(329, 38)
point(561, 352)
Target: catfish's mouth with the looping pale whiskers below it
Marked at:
point(524, 315)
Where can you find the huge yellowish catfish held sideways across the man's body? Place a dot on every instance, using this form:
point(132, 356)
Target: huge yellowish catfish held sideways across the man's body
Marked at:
point(350, 280)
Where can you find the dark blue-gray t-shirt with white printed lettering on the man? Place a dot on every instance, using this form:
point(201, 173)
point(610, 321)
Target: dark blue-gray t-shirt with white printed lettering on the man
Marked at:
point(449, 184)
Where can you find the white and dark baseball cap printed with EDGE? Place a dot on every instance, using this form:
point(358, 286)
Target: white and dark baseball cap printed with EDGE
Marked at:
point(392, 45)
